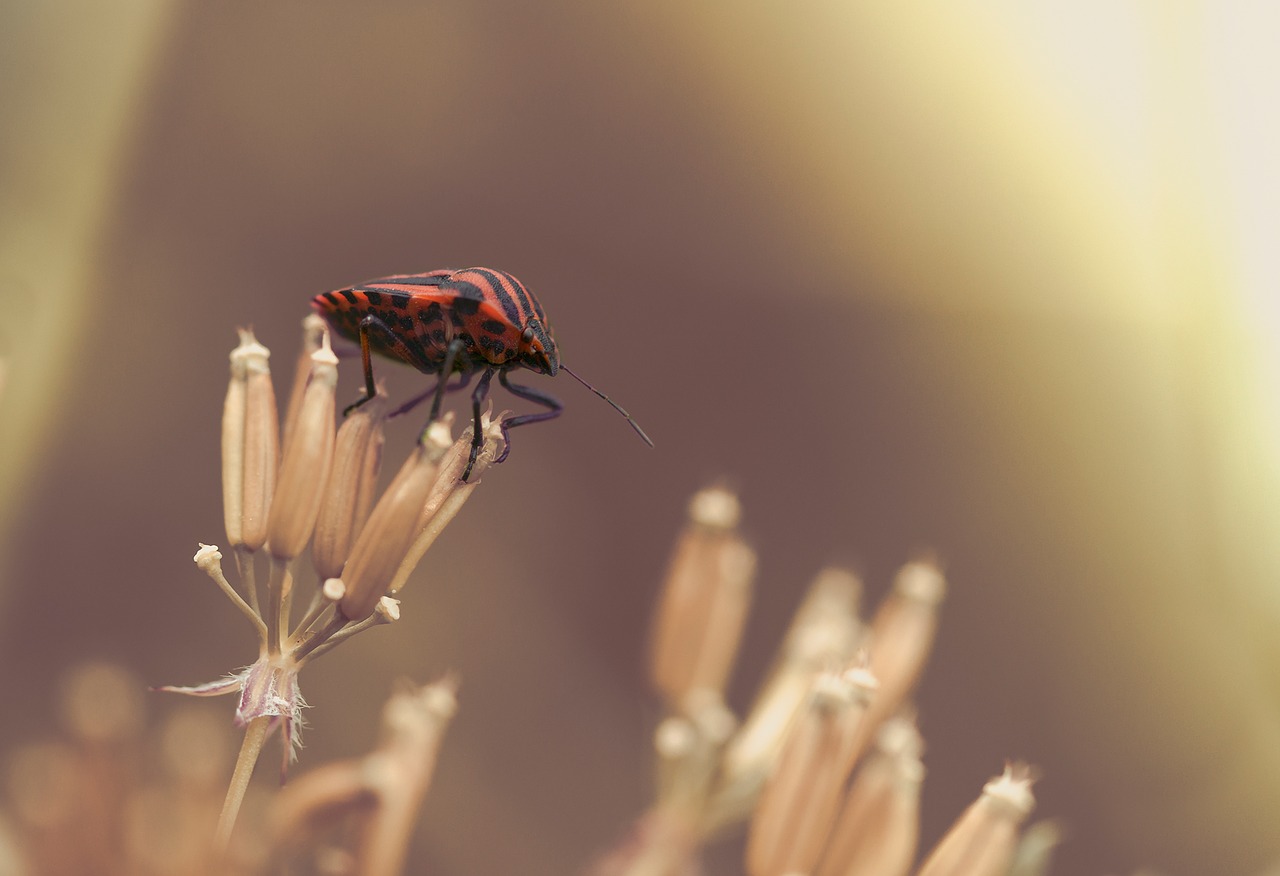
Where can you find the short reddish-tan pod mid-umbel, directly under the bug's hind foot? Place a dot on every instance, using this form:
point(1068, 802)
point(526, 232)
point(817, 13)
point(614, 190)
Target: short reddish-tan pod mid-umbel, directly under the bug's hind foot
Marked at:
point(350, 495)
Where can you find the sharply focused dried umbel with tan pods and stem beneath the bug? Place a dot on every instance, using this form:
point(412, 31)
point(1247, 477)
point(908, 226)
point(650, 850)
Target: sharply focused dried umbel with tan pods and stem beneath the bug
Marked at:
point(321, 494)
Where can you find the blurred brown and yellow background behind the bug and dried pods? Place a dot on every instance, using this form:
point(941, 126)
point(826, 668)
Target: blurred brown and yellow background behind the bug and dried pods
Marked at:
point(998, 281)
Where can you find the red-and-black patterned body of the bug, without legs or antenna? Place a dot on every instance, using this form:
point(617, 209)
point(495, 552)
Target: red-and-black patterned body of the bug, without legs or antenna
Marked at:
point(500, 322)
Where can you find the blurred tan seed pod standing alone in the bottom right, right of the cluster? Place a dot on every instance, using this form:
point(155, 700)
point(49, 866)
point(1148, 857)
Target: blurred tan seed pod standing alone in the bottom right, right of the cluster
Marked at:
point(982, 842)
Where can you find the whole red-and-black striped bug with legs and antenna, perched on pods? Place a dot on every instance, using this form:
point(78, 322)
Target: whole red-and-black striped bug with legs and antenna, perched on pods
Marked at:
point(446, 322)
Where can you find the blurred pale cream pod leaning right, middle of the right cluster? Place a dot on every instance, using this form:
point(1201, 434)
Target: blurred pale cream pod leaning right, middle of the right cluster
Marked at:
point(825, 632)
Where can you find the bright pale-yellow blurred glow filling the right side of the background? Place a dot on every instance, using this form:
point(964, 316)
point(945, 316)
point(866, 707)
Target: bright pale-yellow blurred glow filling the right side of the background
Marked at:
point(1109, 168)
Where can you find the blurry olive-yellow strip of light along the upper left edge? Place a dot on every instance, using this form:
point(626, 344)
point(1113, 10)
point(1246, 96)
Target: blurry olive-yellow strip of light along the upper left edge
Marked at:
point(72, 77)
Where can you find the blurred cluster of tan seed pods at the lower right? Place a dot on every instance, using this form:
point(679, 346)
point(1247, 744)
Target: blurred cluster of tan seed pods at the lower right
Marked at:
point(821, 800)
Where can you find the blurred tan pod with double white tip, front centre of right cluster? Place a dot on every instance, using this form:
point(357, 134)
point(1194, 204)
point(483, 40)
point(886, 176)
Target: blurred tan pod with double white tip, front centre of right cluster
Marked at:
point(798, 806)
